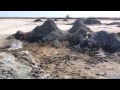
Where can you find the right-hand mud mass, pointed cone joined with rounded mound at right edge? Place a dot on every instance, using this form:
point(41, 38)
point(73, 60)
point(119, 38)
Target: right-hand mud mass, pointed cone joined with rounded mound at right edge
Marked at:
point(83, 37)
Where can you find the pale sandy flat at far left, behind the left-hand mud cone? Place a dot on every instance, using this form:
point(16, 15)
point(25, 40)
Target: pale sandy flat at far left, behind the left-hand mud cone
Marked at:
point(11, 26)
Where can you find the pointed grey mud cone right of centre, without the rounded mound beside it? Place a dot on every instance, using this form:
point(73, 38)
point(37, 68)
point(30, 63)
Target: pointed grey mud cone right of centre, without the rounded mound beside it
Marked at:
point(79, 32)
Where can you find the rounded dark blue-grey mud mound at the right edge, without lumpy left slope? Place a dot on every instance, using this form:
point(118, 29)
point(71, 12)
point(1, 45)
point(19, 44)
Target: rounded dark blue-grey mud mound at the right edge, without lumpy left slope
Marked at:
point(110, 42)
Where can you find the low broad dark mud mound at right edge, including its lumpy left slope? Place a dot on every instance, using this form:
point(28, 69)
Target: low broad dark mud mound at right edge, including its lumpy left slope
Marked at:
point(109, 42)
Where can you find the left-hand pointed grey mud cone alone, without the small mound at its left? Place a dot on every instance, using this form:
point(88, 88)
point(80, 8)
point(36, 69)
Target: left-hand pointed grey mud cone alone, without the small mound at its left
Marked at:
point(47, 32)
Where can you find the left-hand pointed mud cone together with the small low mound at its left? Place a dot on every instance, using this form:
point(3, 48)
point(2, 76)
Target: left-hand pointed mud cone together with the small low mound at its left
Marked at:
point(48, 32)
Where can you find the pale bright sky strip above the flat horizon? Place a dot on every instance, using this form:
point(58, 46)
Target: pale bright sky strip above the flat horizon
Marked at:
point(59, 13)
